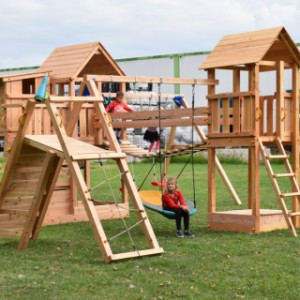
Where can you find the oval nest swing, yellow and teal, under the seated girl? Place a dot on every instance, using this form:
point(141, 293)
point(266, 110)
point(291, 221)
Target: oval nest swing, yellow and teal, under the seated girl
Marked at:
point(153, 201)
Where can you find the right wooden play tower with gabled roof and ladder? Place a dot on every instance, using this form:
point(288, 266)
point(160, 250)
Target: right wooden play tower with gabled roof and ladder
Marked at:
point(246, 118)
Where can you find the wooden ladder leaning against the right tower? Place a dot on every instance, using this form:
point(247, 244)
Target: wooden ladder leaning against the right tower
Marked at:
point(274, 179)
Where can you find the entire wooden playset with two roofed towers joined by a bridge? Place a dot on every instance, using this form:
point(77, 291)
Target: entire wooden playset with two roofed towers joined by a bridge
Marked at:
point(45, 141)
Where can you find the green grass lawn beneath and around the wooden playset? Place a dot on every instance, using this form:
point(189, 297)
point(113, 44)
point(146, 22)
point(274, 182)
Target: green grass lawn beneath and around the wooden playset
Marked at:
point(65, 262)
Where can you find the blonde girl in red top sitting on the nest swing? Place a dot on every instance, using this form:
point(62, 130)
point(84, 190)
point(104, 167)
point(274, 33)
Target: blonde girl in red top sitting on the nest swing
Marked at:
point(173, 201)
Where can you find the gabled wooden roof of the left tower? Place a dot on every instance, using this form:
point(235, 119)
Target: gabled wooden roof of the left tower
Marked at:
point(74, 61)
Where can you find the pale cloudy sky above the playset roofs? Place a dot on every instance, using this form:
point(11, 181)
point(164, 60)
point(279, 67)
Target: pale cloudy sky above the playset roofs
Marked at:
point(32, 29)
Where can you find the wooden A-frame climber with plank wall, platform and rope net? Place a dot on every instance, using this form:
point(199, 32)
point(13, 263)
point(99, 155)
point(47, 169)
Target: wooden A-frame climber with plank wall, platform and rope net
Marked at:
point(23, 216)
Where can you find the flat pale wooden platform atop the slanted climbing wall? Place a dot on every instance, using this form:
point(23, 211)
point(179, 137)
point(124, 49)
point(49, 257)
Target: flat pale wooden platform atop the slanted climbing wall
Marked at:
point(79, 150)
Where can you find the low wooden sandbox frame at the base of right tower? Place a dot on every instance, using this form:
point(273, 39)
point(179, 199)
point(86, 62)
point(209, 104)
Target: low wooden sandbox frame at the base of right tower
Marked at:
point(244, 221)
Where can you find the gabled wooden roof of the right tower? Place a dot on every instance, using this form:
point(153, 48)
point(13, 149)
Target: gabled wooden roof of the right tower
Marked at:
point(251, 47)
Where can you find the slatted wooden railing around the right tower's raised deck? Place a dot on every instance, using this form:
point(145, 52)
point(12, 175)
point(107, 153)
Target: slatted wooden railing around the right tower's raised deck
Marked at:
point(235, 114)
